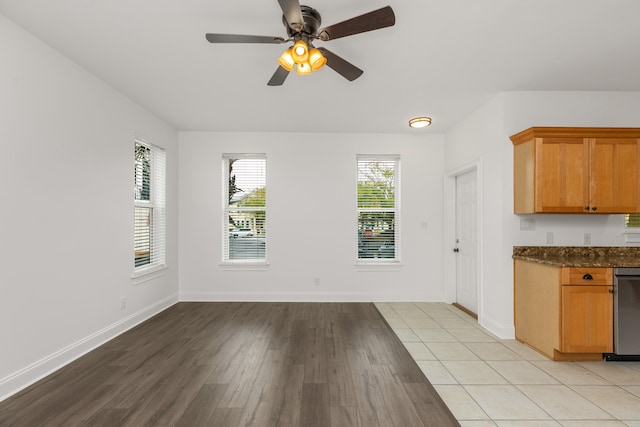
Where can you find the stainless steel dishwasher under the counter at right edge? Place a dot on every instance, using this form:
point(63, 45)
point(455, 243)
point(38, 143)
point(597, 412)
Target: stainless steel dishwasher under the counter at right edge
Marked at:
point(626, 315)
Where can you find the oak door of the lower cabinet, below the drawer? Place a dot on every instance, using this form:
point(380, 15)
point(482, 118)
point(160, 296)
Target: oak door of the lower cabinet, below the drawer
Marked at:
point(586, 324)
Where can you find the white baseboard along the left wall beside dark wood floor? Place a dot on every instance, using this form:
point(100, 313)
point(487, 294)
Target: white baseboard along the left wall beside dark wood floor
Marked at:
point(40, 369)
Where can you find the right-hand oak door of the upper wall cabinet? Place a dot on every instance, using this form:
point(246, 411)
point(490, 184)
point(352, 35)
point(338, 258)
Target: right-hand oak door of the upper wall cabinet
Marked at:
point(615, 175)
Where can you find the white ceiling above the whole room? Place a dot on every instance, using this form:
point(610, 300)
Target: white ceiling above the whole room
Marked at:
point(442, 59)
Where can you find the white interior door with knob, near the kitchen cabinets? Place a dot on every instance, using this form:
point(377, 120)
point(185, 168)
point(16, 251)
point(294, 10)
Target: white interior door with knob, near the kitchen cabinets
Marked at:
point(467, 241)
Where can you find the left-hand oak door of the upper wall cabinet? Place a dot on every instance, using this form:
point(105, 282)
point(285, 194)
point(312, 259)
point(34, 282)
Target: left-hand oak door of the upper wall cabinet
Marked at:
point(561, 175)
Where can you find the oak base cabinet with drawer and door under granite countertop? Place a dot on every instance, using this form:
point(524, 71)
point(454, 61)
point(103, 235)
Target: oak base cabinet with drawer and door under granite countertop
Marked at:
point(565, 313)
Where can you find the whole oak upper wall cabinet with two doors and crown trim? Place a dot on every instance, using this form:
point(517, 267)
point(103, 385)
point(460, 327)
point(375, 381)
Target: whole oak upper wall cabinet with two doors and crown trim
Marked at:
point(577, 170)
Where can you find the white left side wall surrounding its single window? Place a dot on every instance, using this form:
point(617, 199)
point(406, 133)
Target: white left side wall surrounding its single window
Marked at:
point(66, 222)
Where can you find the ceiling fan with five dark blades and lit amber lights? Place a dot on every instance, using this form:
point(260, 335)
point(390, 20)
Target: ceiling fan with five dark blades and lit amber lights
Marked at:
point(302, 24)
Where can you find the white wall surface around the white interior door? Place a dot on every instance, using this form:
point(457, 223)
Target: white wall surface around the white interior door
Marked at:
point(480, 139)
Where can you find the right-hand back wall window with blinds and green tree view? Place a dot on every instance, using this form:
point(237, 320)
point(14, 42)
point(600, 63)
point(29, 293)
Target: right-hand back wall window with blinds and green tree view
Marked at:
point(378, 208)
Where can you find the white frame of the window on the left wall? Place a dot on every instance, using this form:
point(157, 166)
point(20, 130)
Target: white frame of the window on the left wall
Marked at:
point(156, 204)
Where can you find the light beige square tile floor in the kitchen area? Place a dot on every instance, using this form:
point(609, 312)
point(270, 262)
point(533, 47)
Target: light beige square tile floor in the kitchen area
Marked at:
point(487, 381)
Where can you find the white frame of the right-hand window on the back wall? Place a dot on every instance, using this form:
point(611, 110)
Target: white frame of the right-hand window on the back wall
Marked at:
point(396, 210)
